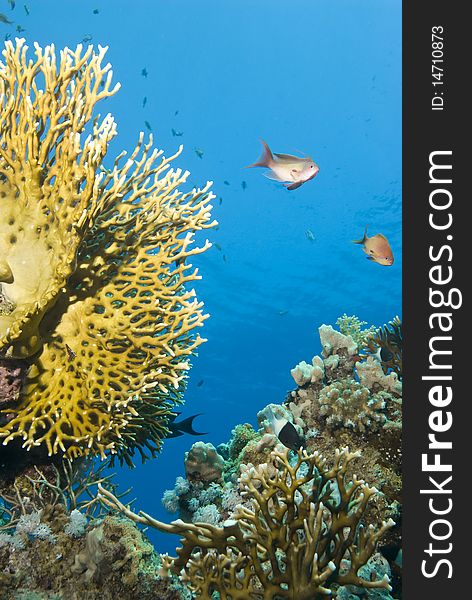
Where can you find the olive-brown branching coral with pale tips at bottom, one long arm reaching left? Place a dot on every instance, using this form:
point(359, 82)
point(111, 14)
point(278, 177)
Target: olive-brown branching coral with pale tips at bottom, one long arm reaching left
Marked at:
point(299, 529)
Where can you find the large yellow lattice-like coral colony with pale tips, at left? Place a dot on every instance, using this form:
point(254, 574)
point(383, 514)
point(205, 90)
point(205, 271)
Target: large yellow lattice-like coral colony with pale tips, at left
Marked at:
point(93, 268)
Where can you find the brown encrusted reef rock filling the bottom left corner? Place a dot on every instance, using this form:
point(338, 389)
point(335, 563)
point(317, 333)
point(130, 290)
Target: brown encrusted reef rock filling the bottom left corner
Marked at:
point(112, 560)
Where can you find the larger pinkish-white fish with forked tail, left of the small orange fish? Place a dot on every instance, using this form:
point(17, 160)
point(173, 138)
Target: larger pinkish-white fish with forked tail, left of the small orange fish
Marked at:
point(291, 170)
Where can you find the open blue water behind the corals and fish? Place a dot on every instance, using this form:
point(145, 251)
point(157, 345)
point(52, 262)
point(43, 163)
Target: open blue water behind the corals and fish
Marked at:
point(322, 77)
